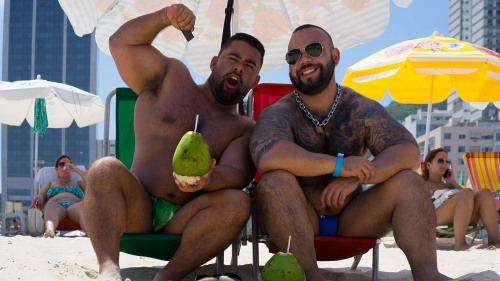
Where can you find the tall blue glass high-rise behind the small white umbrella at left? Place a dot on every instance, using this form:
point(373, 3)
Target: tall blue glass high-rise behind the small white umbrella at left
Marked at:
point(39, 40)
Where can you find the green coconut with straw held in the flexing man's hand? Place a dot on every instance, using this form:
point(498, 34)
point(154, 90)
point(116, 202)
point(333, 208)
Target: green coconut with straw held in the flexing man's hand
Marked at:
point(191, 158)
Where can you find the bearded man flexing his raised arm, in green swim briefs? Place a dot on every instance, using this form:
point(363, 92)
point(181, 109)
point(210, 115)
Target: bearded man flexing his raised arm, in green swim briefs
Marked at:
point(209, 215)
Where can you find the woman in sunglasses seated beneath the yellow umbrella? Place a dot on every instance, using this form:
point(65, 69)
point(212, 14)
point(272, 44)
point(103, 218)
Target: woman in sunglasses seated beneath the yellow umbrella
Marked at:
point(456, 205)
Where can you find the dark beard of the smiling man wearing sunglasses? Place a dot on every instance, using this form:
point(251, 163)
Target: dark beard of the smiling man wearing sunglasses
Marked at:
point(315, 87)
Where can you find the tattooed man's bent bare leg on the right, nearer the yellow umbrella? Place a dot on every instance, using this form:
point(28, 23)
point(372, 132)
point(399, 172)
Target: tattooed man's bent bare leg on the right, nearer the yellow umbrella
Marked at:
point(402, 202)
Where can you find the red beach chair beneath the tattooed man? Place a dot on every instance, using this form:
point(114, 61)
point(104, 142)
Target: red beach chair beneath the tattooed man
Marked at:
point(328, 248)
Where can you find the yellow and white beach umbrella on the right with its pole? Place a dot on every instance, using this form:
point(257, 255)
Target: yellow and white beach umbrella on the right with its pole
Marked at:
point(426, 70)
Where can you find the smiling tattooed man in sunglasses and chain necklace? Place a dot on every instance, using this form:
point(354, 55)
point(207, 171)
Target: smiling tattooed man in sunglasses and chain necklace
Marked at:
point(310, 147)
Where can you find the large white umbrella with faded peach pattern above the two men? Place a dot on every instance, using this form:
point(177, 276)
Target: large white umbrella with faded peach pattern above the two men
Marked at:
point(350, 22)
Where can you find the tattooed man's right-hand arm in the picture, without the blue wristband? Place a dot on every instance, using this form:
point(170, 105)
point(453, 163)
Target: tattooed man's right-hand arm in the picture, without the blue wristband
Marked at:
point(394, 148)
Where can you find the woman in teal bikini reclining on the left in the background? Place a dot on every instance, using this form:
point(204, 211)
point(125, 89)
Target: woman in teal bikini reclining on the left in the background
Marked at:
point(63, 198)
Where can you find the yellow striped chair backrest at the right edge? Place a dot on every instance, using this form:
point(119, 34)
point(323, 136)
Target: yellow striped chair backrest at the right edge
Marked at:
point(484, 169)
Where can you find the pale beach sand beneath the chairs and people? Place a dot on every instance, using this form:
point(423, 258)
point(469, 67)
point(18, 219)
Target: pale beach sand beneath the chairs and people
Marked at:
point(64, 258)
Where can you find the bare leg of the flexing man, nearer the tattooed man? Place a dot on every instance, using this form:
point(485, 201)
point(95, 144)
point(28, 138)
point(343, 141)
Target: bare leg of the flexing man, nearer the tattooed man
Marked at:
point(208, 224)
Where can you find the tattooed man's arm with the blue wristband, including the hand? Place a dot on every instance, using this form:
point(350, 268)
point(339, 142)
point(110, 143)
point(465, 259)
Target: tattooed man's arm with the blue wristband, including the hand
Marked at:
point(273, 146)
